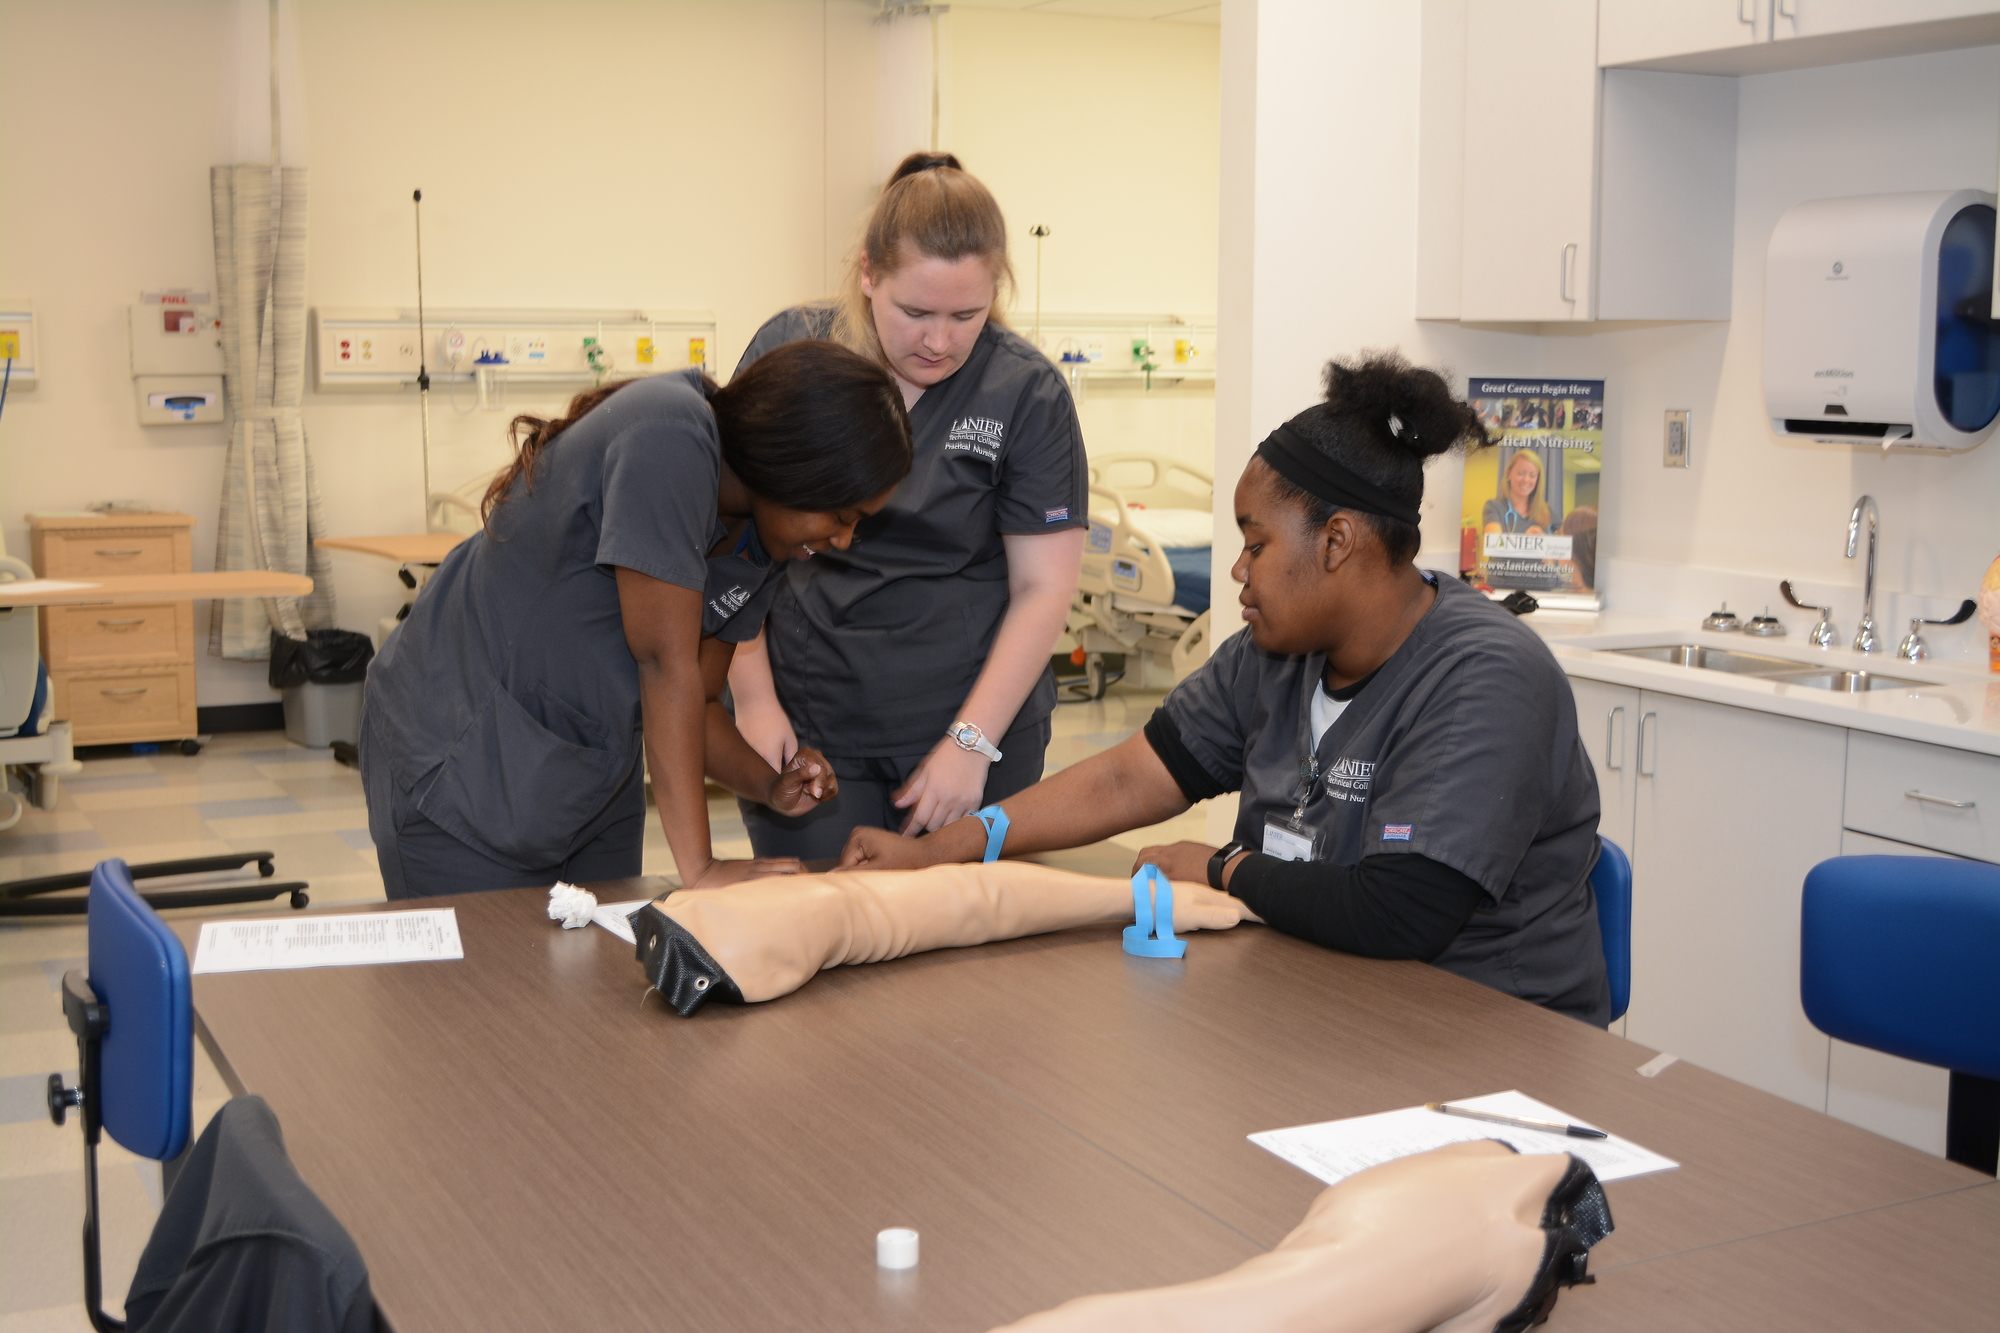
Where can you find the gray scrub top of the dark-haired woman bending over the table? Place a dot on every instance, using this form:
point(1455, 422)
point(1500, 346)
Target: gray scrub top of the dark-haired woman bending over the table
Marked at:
point(509, 700)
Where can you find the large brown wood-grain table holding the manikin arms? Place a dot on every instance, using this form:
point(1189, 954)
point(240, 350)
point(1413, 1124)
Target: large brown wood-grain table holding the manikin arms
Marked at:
point(527, 1142)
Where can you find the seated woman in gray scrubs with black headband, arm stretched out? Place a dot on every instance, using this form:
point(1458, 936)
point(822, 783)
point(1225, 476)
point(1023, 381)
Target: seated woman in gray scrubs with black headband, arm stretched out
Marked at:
point(1413, 784)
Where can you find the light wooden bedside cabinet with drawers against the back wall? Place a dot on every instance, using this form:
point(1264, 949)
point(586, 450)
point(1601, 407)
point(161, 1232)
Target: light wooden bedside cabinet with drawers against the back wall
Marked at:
point(121, 674)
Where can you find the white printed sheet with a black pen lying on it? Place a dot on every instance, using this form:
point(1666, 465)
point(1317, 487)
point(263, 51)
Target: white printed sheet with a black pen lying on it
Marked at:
point(1337, 1150)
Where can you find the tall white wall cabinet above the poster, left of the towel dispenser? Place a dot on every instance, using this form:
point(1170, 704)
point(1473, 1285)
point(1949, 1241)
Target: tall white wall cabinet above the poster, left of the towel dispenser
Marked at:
point(1551, 191)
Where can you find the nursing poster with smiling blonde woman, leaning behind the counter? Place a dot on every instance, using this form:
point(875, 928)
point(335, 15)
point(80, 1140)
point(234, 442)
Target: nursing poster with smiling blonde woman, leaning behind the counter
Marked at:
point(1531, 503)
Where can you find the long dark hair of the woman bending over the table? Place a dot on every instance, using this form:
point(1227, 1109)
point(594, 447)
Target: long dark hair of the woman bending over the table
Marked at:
point(809, 427)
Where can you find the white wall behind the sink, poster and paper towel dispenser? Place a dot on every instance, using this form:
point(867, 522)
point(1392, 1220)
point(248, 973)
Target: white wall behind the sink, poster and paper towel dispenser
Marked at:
point(1319, 233)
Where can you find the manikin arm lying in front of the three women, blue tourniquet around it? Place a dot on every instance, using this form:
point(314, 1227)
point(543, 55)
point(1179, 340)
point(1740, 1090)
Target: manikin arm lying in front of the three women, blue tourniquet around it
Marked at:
point(769, 938)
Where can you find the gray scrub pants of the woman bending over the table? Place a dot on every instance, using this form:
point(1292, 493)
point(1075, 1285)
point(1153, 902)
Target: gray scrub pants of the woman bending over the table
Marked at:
point(421, 860)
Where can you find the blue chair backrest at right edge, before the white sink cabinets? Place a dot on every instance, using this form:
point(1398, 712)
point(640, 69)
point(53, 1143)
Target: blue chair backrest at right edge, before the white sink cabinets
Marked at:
point(1897, 954)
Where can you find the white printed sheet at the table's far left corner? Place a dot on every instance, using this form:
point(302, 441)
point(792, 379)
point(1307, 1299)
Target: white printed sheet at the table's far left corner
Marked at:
point(329, 942)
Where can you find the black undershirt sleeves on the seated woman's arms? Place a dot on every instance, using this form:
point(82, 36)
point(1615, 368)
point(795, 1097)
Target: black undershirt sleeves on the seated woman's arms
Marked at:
point(1395, 906)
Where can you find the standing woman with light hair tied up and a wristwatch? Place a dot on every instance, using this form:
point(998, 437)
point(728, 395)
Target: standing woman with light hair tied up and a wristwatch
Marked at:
point(919, 659)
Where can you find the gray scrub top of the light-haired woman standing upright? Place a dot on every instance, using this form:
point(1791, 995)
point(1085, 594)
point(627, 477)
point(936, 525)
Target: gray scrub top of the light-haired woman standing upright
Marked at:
point(875, 651)
